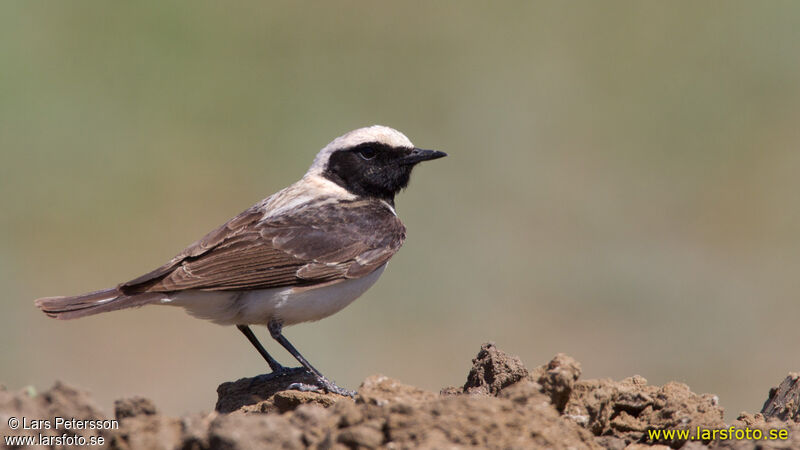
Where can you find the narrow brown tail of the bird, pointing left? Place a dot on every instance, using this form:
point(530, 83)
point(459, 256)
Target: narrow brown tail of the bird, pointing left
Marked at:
point(93, 303)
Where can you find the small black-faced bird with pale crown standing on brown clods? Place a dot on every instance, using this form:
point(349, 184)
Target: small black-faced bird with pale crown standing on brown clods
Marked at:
point(299, 255)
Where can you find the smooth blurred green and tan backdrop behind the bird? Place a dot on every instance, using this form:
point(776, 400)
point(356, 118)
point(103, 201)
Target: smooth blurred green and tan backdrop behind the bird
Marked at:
point(622, 184)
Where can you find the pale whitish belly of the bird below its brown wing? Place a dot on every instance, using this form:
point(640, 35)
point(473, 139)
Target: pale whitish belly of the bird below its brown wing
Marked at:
point(289, 305)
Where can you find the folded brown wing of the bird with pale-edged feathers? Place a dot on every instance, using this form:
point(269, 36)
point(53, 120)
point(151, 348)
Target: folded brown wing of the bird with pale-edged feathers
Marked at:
point(317, 242)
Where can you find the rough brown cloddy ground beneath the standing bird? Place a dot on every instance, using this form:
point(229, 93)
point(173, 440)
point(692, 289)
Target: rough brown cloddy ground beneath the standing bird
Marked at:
point(502, 405)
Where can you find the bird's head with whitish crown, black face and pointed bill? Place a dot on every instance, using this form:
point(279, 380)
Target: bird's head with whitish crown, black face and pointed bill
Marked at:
point(374, 161)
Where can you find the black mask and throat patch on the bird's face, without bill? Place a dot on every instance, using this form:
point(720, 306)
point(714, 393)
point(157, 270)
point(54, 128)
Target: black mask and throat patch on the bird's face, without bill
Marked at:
point(370, 170)
